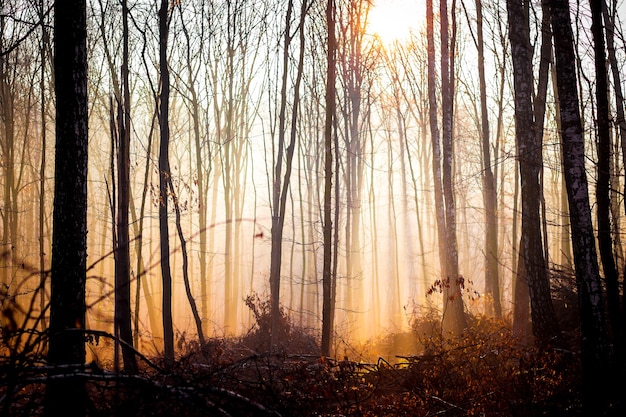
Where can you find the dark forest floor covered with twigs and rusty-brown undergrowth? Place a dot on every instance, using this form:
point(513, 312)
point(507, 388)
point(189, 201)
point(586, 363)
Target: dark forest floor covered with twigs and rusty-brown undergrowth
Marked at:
point(486, 373)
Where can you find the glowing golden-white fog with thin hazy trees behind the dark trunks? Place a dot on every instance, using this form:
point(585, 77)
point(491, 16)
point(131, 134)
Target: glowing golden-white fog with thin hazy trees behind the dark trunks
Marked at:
point(247, 115)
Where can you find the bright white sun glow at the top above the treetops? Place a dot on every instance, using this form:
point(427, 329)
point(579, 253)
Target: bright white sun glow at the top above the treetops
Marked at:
point(393, 20)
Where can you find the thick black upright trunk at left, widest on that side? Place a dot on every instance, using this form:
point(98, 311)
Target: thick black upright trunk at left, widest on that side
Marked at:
point(66, 396)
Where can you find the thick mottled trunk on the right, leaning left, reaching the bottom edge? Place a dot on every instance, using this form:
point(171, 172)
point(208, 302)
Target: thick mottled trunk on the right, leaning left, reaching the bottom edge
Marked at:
point(595, 351)
